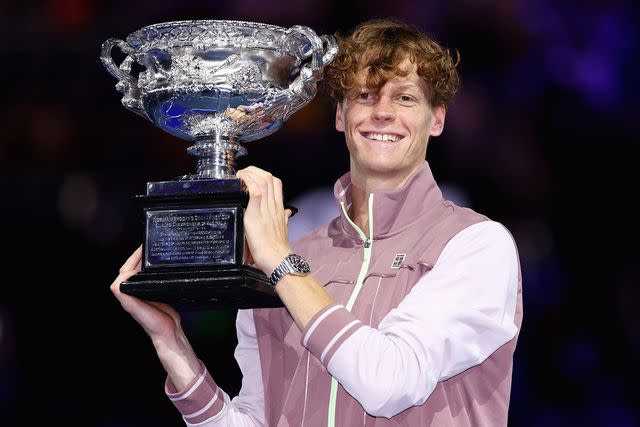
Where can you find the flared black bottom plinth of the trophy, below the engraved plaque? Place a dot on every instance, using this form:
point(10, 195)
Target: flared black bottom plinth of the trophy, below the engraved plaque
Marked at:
point(232, 287)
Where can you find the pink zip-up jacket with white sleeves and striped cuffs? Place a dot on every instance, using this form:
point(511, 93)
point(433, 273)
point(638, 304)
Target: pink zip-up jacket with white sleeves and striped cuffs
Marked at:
point(422, 333)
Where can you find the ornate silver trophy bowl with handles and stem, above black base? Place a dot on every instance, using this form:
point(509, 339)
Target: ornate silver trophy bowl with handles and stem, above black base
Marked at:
point(219, 83)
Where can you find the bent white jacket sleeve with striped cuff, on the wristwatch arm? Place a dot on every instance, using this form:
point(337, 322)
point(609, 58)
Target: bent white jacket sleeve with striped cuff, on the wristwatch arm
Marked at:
point(455, 317)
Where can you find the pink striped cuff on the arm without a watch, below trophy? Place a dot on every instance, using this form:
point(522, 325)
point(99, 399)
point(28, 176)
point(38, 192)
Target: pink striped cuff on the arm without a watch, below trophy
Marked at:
point(201, 400)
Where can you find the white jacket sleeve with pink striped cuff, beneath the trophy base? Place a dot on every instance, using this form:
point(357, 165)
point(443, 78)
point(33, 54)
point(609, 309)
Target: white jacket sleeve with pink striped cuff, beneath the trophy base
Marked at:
point(204, 404)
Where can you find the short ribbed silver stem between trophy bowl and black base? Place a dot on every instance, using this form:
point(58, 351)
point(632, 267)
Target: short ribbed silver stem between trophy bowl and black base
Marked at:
point(216, 157)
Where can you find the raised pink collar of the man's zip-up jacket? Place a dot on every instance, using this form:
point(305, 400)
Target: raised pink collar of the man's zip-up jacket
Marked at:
point(393, 210)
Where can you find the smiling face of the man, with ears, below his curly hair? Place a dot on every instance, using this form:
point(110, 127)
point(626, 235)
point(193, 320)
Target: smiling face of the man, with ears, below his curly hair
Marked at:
point(387, 129)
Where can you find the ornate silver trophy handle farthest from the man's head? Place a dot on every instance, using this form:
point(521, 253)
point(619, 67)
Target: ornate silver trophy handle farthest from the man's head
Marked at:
point(127, 84)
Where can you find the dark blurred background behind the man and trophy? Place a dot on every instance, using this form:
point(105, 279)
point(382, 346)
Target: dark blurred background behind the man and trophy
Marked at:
point(543, 137)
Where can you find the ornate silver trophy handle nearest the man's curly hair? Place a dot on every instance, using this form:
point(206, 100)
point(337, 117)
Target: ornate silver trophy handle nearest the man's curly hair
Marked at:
point(323, 50)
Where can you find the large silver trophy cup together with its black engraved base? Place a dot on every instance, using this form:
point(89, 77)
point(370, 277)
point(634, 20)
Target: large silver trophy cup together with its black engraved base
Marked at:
point(217, 84)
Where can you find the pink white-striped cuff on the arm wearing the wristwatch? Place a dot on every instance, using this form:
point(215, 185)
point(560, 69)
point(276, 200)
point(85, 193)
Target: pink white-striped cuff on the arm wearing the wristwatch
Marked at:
point(327, 330)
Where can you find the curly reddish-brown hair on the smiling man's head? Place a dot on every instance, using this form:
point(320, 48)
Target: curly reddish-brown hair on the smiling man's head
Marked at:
point(381, 46)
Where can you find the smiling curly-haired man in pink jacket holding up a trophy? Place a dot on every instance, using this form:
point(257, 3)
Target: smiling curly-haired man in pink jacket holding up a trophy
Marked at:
point(412, 307)
